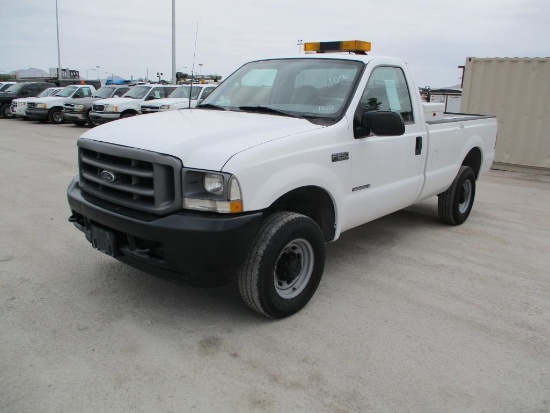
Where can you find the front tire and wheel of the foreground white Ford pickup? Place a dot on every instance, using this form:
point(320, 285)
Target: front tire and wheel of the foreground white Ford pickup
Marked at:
point(284, 265)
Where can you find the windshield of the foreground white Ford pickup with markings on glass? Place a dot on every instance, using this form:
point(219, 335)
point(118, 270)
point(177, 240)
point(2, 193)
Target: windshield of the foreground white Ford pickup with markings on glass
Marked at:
point(311, 88)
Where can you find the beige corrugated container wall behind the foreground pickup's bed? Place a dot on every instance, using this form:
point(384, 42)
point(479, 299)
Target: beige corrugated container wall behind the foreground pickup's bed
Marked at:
point(517, 91)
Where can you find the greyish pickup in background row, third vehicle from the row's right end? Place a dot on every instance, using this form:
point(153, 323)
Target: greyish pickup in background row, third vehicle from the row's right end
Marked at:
point(78, 110)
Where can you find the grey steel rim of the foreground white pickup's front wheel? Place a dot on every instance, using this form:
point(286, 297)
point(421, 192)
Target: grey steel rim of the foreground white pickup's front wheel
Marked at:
point(297, 253)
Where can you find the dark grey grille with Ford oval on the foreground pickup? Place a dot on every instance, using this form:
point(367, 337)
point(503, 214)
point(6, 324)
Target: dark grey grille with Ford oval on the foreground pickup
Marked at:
point(129, 177)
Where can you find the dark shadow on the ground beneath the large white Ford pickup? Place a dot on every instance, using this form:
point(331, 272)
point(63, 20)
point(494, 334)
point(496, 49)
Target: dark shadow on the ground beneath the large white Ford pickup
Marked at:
point(152, 299)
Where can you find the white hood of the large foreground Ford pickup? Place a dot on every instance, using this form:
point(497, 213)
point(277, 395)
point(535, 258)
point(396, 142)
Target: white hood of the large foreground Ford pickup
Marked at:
point(201, 138)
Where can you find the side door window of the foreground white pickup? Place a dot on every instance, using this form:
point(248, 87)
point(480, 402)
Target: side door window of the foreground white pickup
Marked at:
point(387, 89)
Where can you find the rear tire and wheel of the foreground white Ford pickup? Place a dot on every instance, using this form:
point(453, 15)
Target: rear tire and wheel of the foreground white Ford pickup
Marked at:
point(455, 204)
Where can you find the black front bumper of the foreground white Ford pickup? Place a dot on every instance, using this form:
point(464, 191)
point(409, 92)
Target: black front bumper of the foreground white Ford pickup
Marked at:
point(187, 247)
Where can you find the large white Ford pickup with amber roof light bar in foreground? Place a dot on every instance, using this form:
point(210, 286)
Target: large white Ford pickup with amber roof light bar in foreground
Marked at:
point(284, 156)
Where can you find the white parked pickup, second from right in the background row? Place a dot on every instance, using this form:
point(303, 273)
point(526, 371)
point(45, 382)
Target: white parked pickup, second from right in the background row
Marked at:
point(106, 110)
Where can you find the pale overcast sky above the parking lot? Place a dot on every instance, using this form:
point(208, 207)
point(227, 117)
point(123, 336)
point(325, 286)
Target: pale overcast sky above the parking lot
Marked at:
point(133, 38)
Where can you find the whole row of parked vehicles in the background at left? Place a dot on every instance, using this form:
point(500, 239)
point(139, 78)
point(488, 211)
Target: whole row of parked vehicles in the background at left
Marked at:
point(83, 104)
